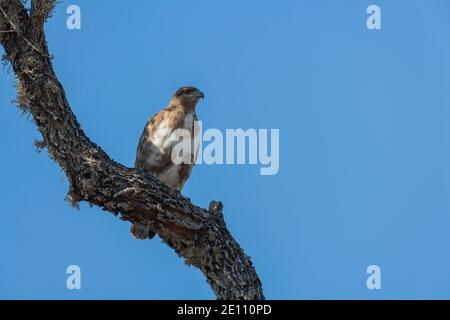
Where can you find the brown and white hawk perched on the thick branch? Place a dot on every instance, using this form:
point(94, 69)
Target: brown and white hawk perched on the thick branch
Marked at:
point(154, 152)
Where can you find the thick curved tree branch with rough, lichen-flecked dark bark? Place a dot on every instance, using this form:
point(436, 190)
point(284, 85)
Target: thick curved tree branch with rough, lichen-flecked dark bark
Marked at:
point(199, 236)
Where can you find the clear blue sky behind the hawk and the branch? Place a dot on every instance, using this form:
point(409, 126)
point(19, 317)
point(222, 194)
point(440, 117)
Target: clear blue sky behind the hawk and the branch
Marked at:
point(364, 119)
